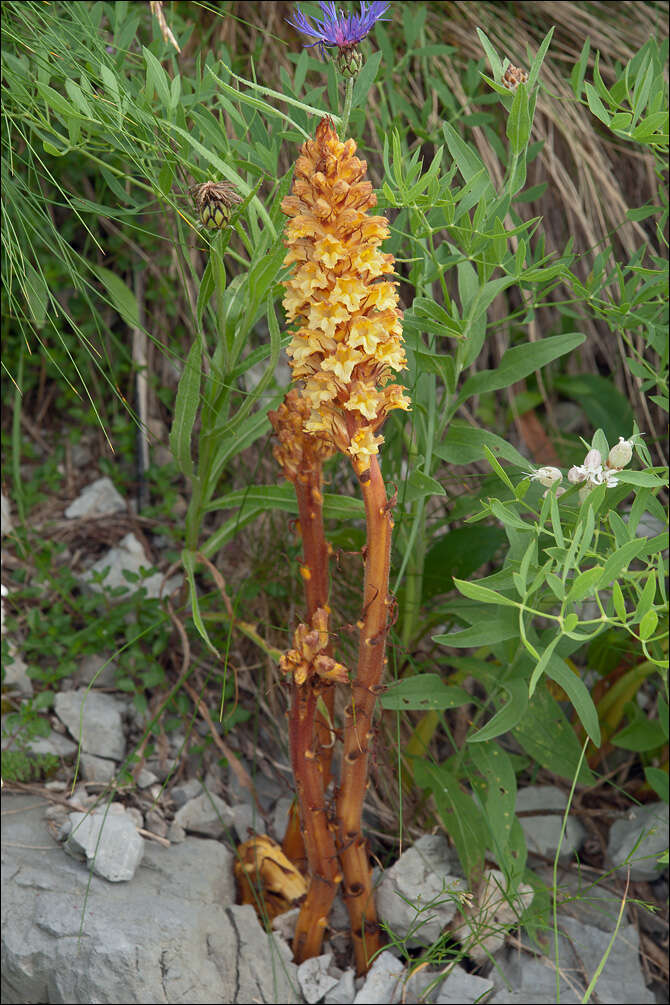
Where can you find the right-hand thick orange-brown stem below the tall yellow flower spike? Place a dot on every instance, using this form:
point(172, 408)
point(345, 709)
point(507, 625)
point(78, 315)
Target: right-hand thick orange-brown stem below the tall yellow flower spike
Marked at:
point(358, 890)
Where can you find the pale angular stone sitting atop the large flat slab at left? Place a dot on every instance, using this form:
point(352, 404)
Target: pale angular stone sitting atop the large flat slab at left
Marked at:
point(109, 842)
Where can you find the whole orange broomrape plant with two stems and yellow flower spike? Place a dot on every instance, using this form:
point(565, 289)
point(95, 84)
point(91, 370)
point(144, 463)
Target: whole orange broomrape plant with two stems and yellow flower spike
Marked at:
point(345, 351)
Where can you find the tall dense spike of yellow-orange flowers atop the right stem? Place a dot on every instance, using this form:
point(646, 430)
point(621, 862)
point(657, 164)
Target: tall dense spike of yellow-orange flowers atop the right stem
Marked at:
point(349, 337)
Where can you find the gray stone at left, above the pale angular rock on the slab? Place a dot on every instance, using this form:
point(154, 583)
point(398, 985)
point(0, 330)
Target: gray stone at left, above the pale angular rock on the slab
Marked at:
point(94, 720)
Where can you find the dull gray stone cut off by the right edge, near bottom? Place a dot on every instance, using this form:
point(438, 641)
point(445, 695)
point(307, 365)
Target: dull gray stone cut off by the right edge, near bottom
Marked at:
point(638, 841)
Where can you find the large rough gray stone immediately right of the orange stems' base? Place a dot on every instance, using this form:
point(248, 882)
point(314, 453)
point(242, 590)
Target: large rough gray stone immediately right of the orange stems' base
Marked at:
point(418, 896)
